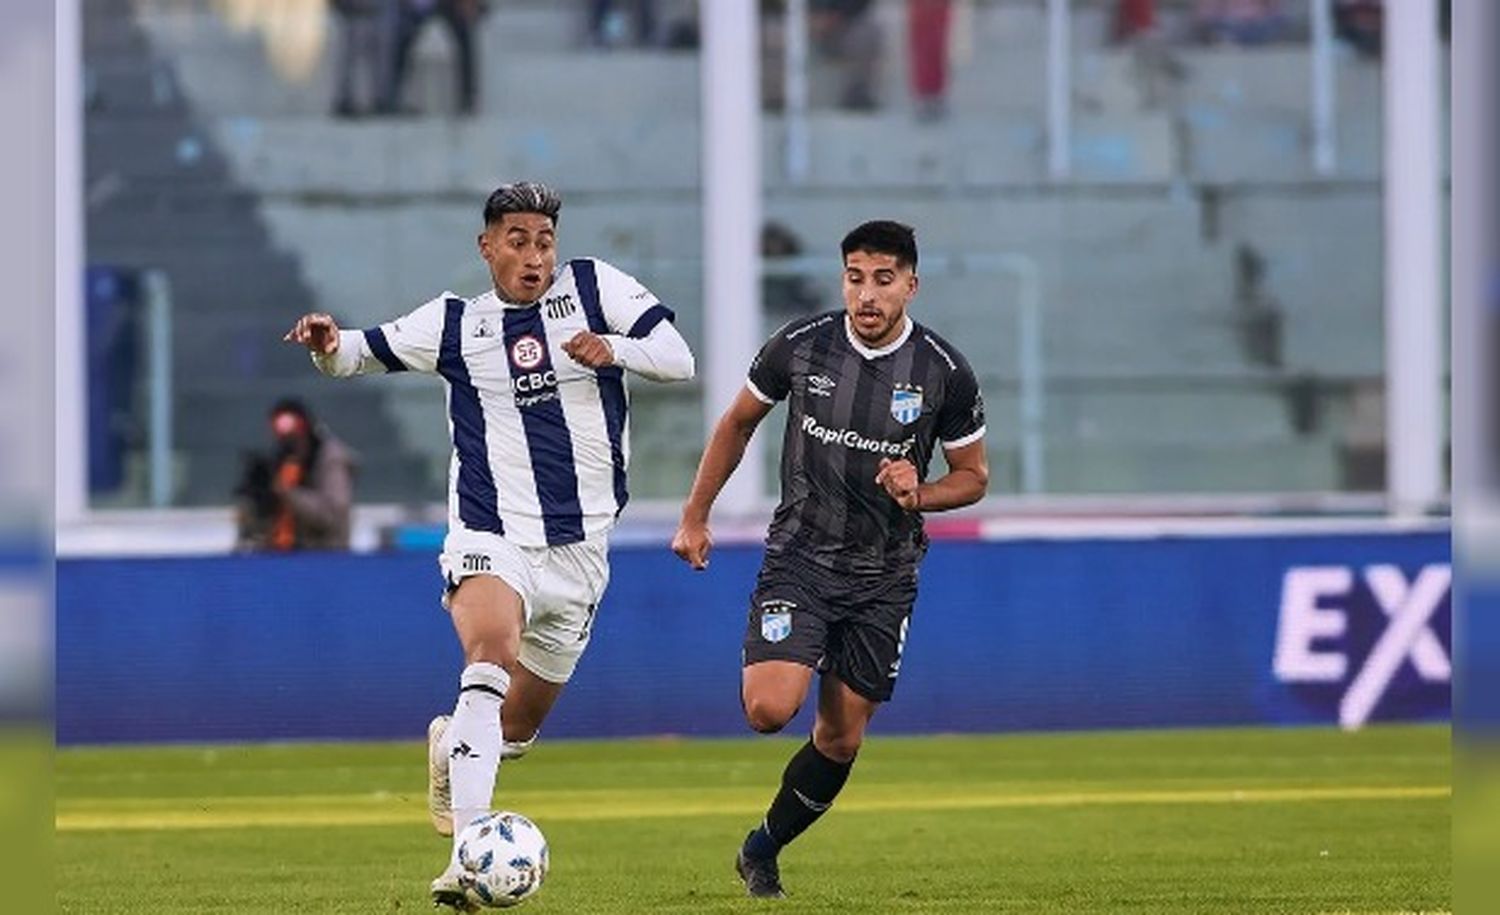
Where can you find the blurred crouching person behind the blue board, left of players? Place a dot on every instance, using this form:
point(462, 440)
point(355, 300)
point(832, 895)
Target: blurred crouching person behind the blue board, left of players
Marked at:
point(298, 497)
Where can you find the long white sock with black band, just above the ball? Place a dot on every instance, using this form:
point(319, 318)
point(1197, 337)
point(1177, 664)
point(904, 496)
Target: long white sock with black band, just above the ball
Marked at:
point(473, 742)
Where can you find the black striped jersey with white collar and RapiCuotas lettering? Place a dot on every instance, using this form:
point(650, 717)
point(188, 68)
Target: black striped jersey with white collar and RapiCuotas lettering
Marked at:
point(848, 407)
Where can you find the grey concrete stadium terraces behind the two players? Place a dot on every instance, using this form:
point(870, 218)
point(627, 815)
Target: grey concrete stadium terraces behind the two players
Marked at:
point(1165, 370)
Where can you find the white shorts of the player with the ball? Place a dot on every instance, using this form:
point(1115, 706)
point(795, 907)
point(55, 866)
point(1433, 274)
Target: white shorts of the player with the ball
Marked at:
point(560, 590)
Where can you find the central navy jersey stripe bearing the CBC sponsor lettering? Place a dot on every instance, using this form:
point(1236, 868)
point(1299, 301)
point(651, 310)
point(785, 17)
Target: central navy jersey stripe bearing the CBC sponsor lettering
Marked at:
point(548, 439)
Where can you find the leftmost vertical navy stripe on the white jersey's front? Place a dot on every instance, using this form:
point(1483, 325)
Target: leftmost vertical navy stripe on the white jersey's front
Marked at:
point(479, 505)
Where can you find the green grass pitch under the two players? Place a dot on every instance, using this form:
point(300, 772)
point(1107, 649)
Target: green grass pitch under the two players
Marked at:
point(1165, 821)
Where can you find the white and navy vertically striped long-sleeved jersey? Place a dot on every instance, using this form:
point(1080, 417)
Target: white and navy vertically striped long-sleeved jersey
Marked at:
point(541, 443)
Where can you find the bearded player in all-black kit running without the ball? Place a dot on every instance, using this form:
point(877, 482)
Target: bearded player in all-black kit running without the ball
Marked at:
point(871, 394)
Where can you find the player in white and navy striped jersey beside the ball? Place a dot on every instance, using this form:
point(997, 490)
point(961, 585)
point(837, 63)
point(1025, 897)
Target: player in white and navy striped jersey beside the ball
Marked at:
point(536, 391)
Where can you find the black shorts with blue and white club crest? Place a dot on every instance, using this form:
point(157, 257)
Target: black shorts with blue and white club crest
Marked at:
point(853, 628)
